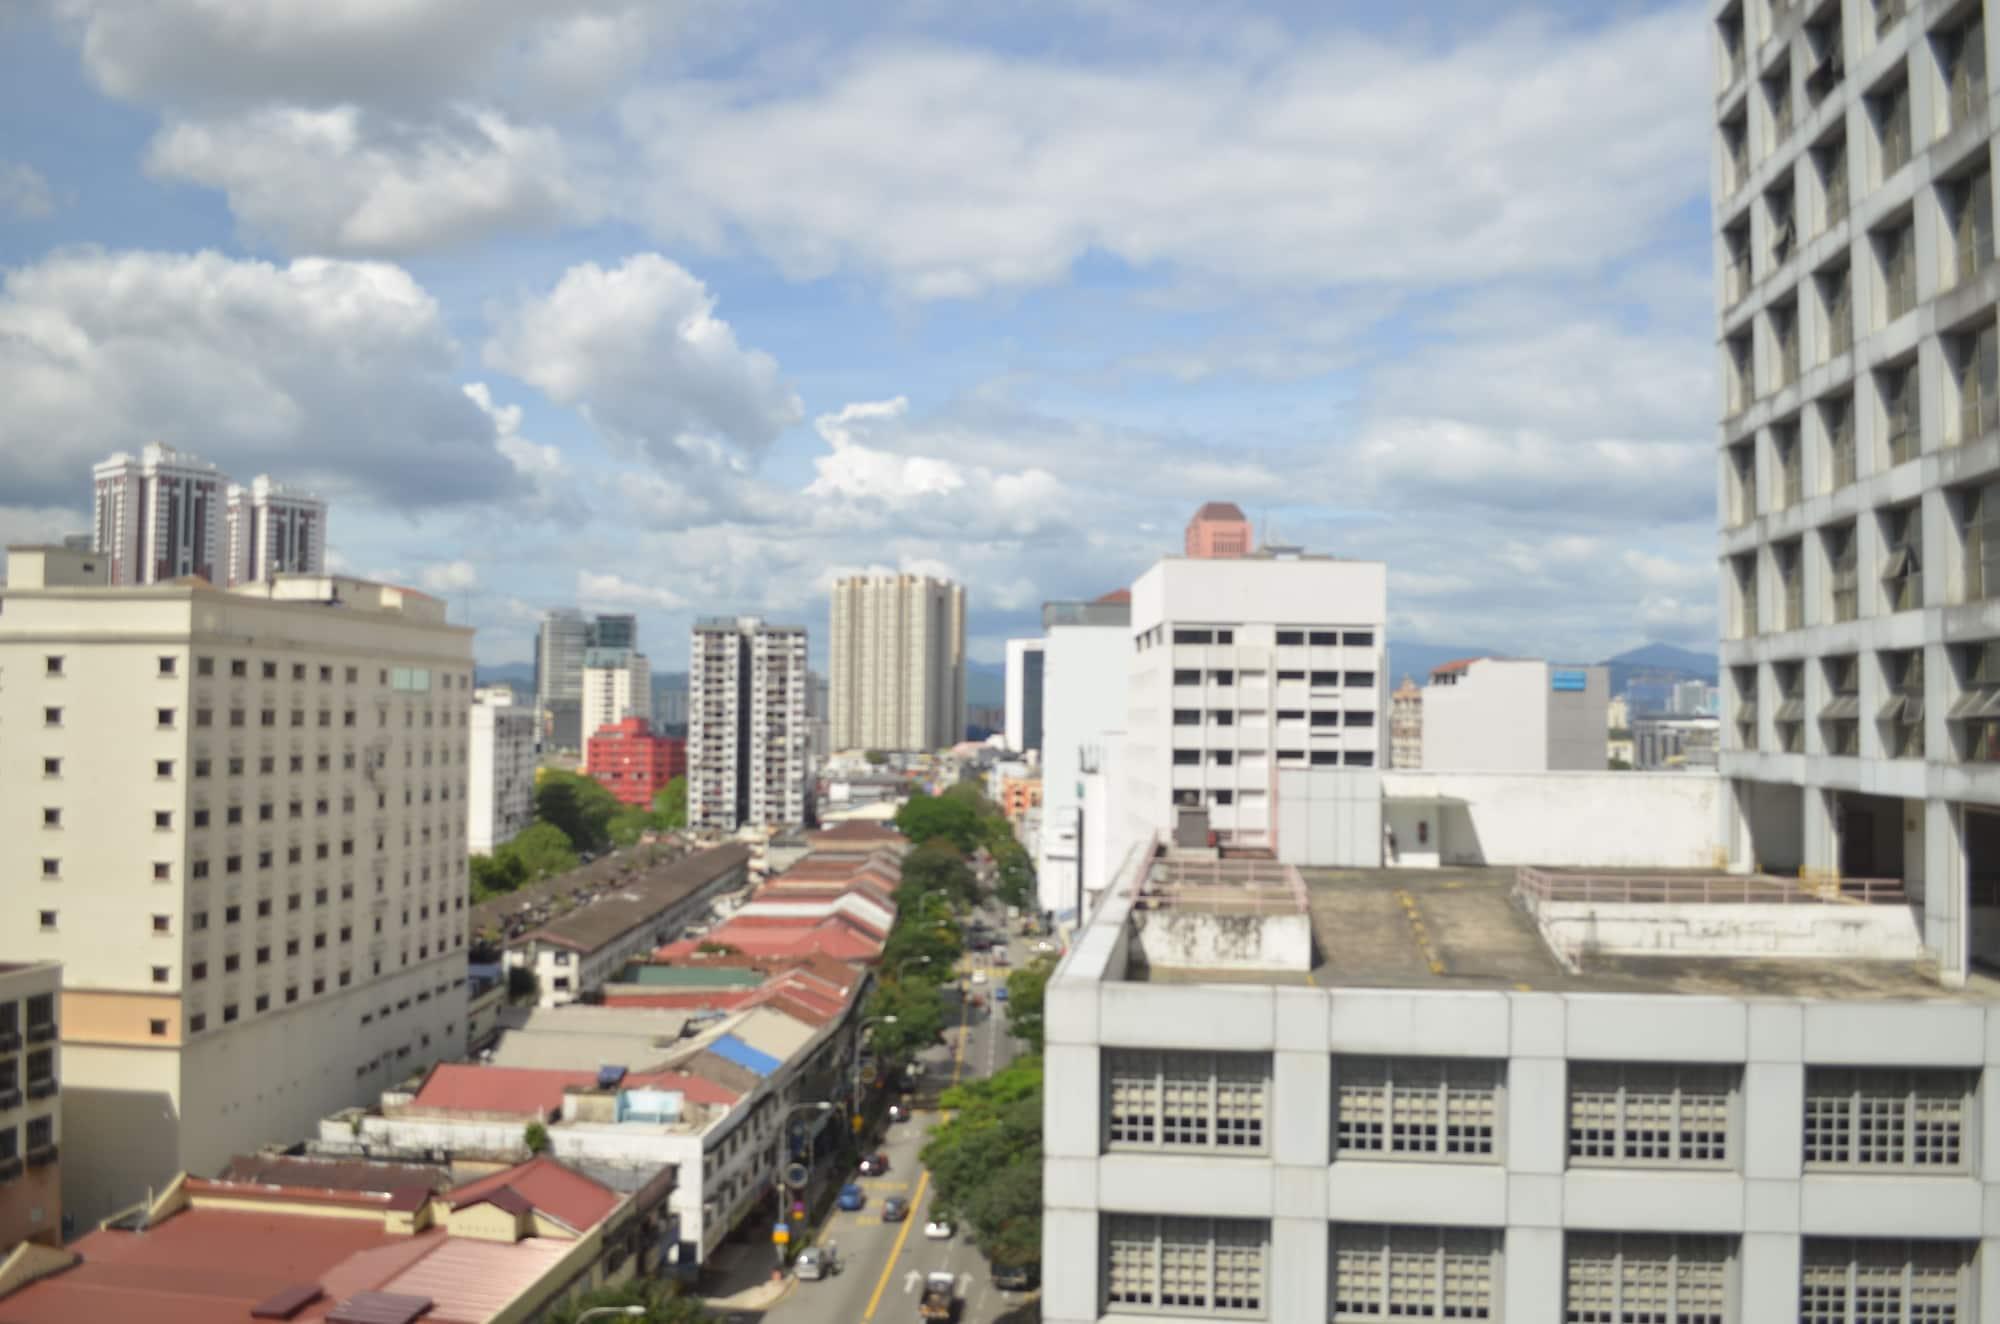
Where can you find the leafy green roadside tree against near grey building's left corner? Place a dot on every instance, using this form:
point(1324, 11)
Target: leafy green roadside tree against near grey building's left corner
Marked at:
point(987, 1161)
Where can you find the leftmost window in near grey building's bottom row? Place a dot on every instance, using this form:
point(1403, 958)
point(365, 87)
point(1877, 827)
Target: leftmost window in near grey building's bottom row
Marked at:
point(1185, 1265)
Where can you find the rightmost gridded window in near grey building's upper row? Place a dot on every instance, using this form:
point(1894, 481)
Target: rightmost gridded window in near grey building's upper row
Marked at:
point(1911, 1121)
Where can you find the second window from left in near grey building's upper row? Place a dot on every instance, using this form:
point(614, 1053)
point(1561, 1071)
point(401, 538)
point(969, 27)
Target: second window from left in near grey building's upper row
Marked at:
point(1417, 1107)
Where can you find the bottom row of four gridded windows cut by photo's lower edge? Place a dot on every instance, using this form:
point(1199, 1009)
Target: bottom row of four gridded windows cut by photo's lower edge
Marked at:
point(1221, 1267)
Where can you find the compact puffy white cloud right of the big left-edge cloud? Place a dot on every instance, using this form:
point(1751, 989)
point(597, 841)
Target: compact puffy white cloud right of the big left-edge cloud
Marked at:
point(641, 351)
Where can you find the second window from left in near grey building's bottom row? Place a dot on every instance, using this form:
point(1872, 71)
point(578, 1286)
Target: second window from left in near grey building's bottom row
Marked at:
point(1415, 1273)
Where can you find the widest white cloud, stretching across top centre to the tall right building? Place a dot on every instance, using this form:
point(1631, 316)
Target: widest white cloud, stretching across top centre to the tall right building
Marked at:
point(1349, 161)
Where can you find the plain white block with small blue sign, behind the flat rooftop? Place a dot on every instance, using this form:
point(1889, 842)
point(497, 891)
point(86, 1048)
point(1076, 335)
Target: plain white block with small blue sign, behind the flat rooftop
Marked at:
point(1515, 715)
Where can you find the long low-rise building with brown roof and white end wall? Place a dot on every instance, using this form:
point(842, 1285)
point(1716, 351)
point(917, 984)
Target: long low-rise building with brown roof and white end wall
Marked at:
point(577, 951)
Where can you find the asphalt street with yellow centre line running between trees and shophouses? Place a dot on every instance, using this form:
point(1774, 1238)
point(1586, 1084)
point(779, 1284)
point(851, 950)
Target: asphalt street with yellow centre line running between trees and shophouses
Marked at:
point(885, 1265)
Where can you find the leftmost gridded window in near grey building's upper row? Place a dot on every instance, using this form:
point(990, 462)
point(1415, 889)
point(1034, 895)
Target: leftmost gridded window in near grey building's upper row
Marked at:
point(1187, 1101)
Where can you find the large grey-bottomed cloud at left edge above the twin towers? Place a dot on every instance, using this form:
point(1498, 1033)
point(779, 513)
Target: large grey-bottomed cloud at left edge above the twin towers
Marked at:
point(337, 375)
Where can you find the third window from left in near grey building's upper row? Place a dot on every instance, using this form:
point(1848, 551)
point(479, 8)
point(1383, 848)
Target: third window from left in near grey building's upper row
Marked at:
point(1649, 1115)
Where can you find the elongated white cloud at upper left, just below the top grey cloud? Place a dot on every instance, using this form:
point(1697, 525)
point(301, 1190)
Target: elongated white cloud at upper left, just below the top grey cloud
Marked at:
point(347, 181)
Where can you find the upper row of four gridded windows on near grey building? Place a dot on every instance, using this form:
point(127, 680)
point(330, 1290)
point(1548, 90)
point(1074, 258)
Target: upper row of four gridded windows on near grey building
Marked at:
point(1453, 1109)
